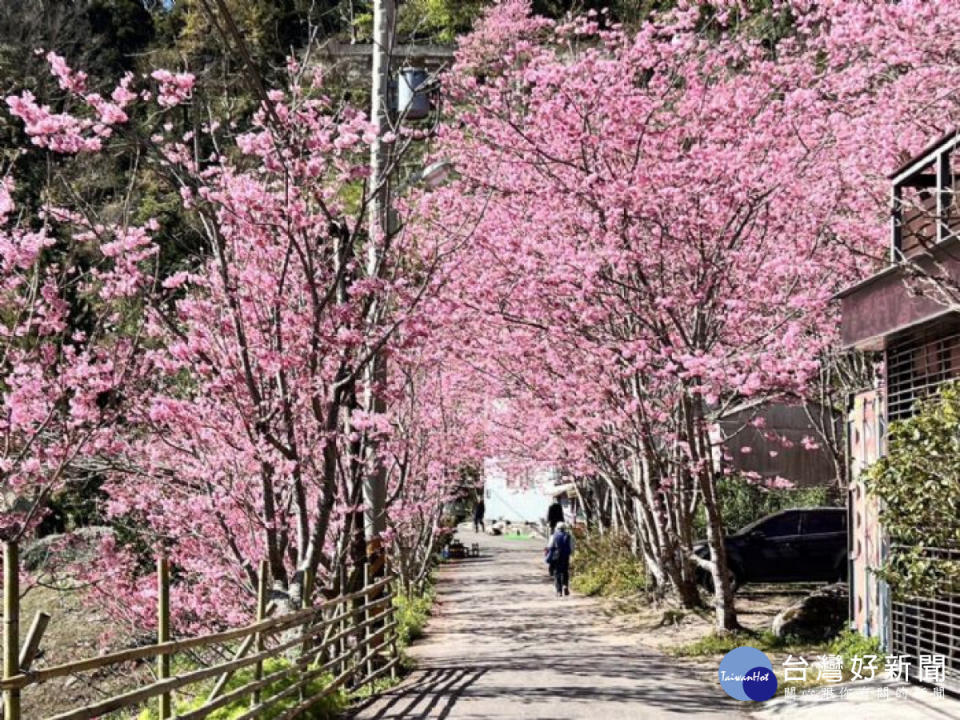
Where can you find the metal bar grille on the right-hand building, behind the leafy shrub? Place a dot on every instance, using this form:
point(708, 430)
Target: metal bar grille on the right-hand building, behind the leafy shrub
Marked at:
point(916, 367)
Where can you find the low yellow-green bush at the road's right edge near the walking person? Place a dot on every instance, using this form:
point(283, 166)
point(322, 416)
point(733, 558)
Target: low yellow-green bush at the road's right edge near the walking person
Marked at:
point(605, 565)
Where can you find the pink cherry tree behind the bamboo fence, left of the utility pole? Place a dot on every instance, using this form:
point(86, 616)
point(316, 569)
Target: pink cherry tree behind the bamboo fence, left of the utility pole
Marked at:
point(246, 433)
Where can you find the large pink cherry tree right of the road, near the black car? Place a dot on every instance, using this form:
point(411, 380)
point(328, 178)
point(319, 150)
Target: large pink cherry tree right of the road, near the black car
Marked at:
point(647, 250)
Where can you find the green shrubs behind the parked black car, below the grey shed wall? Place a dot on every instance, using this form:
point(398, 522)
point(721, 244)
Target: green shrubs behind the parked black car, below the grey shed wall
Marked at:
point(742, 502)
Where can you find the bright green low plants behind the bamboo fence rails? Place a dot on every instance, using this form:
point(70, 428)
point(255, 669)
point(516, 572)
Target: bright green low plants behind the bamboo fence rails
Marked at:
point(327, 709)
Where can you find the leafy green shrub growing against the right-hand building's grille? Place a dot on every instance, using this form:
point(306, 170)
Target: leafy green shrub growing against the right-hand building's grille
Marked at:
point(918, 484)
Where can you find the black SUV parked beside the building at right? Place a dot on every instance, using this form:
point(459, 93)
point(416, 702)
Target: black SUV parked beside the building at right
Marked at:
point(806, 544)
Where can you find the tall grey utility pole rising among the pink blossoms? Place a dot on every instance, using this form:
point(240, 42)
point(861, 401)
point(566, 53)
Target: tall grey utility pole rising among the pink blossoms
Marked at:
point(375, 480)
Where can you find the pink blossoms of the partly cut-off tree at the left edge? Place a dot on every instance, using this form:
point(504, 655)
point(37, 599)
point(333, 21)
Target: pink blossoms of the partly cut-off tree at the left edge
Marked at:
point(59, 383)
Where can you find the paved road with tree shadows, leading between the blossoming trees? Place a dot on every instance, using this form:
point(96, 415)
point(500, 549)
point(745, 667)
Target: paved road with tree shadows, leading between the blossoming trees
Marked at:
point(501, 646)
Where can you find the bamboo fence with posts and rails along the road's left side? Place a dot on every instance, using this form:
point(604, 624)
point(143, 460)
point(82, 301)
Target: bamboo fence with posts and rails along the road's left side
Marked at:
point(352, 637)
